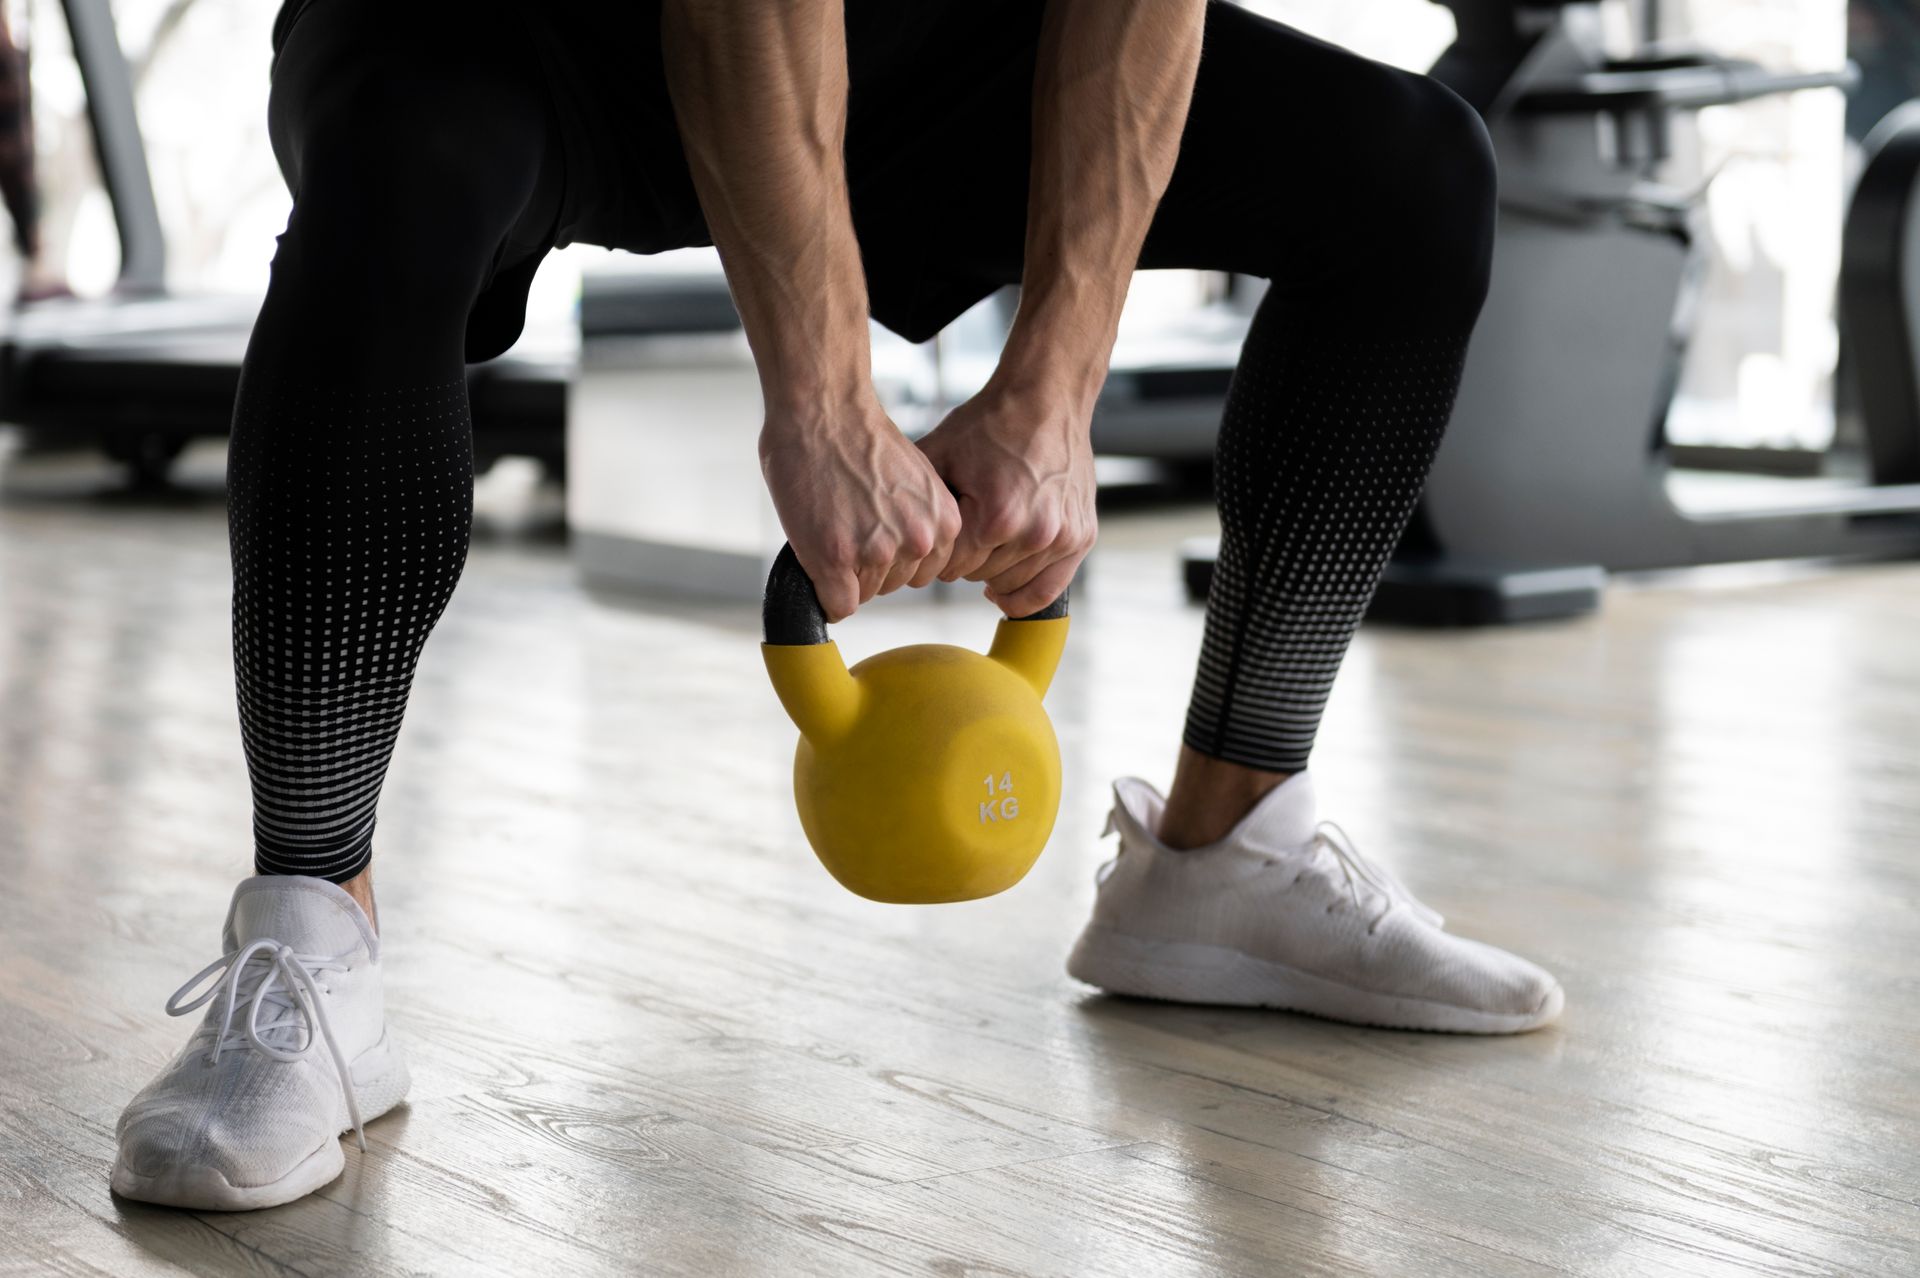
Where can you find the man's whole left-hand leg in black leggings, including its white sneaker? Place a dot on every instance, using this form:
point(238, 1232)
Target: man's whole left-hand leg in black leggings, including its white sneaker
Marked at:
point(414, 154)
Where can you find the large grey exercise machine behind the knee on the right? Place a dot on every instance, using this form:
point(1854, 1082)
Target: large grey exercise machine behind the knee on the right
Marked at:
point(1556, 467)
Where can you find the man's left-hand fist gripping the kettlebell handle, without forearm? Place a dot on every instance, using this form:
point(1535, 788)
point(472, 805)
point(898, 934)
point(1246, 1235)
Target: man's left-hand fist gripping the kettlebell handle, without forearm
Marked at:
point(865, 509)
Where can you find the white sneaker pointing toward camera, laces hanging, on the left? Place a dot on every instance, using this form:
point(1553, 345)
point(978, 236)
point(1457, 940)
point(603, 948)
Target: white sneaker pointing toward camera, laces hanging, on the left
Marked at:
point(252, 1108)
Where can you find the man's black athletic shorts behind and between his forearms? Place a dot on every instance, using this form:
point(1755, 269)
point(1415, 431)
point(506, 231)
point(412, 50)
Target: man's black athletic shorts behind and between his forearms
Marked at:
point(923, 74)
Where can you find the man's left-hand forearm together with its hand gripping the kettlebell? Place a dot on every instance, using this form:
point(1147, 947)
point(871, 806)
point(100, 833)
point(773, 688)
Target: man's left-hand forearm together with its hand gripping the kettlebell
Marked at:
point(761, 97)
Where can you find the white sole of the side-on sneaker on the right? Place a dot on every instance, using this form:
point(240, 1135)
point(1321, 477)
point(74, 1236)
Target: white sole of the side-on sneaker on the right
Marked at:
point(1188, 972)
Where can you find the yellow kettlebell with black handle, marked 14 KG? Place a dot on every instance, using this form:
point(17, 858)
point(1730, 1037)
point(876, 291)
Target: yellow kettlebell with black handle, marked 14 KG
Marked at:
point(924, 774)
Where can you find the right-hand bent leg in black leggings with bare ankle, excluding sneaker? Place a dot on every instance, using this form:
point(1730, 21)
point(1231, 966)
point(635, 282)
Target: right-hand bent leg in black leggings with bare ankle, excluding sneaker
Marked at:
point(1372, 216)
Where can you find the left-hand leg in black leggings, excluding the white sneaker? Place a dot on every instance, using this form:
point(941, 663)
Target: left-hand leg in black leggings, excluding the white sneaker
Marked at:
point(350, 471)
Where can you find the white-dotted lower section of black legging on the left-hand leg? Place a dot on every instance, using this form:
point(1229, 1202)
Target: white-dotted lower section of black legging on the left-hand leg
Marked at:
point(348, 517)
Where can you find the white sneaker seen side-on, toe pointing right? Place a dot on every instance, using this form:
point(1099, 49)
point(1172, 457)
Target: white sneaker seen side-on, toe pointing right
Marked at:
point(1285, 912)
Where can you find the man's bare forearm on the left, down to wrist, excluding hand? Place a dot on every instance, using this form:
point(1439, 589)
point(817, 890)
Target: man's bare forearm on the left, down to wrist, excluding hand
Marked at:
point(761, 99)
